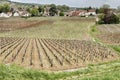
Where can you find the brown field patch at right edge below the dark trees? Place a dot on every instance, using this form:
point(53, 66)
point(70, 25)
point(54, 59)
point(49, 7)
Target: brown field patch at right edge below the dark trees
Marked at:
point(110, 34)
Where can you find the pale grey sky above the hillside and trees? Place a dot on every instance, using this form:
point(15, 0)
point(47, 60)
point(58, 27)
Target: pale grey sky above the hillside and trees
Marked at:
point(75, 3)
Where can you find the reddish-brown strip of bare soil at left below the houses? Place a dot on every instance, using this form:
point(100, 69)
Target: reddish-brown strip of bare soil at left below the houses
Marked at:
point(7, 25)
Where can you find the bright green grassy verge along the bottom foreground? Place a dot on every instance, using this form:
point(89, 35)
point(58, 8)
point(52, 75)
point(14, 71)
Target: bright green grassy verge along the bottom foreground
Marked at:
point(12, 72)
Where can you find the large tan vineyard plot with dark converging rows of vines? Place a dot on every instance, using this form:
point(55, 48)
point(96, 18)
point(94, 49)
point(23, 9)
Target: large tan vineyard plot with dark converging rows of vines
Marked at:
point(53, 54)
